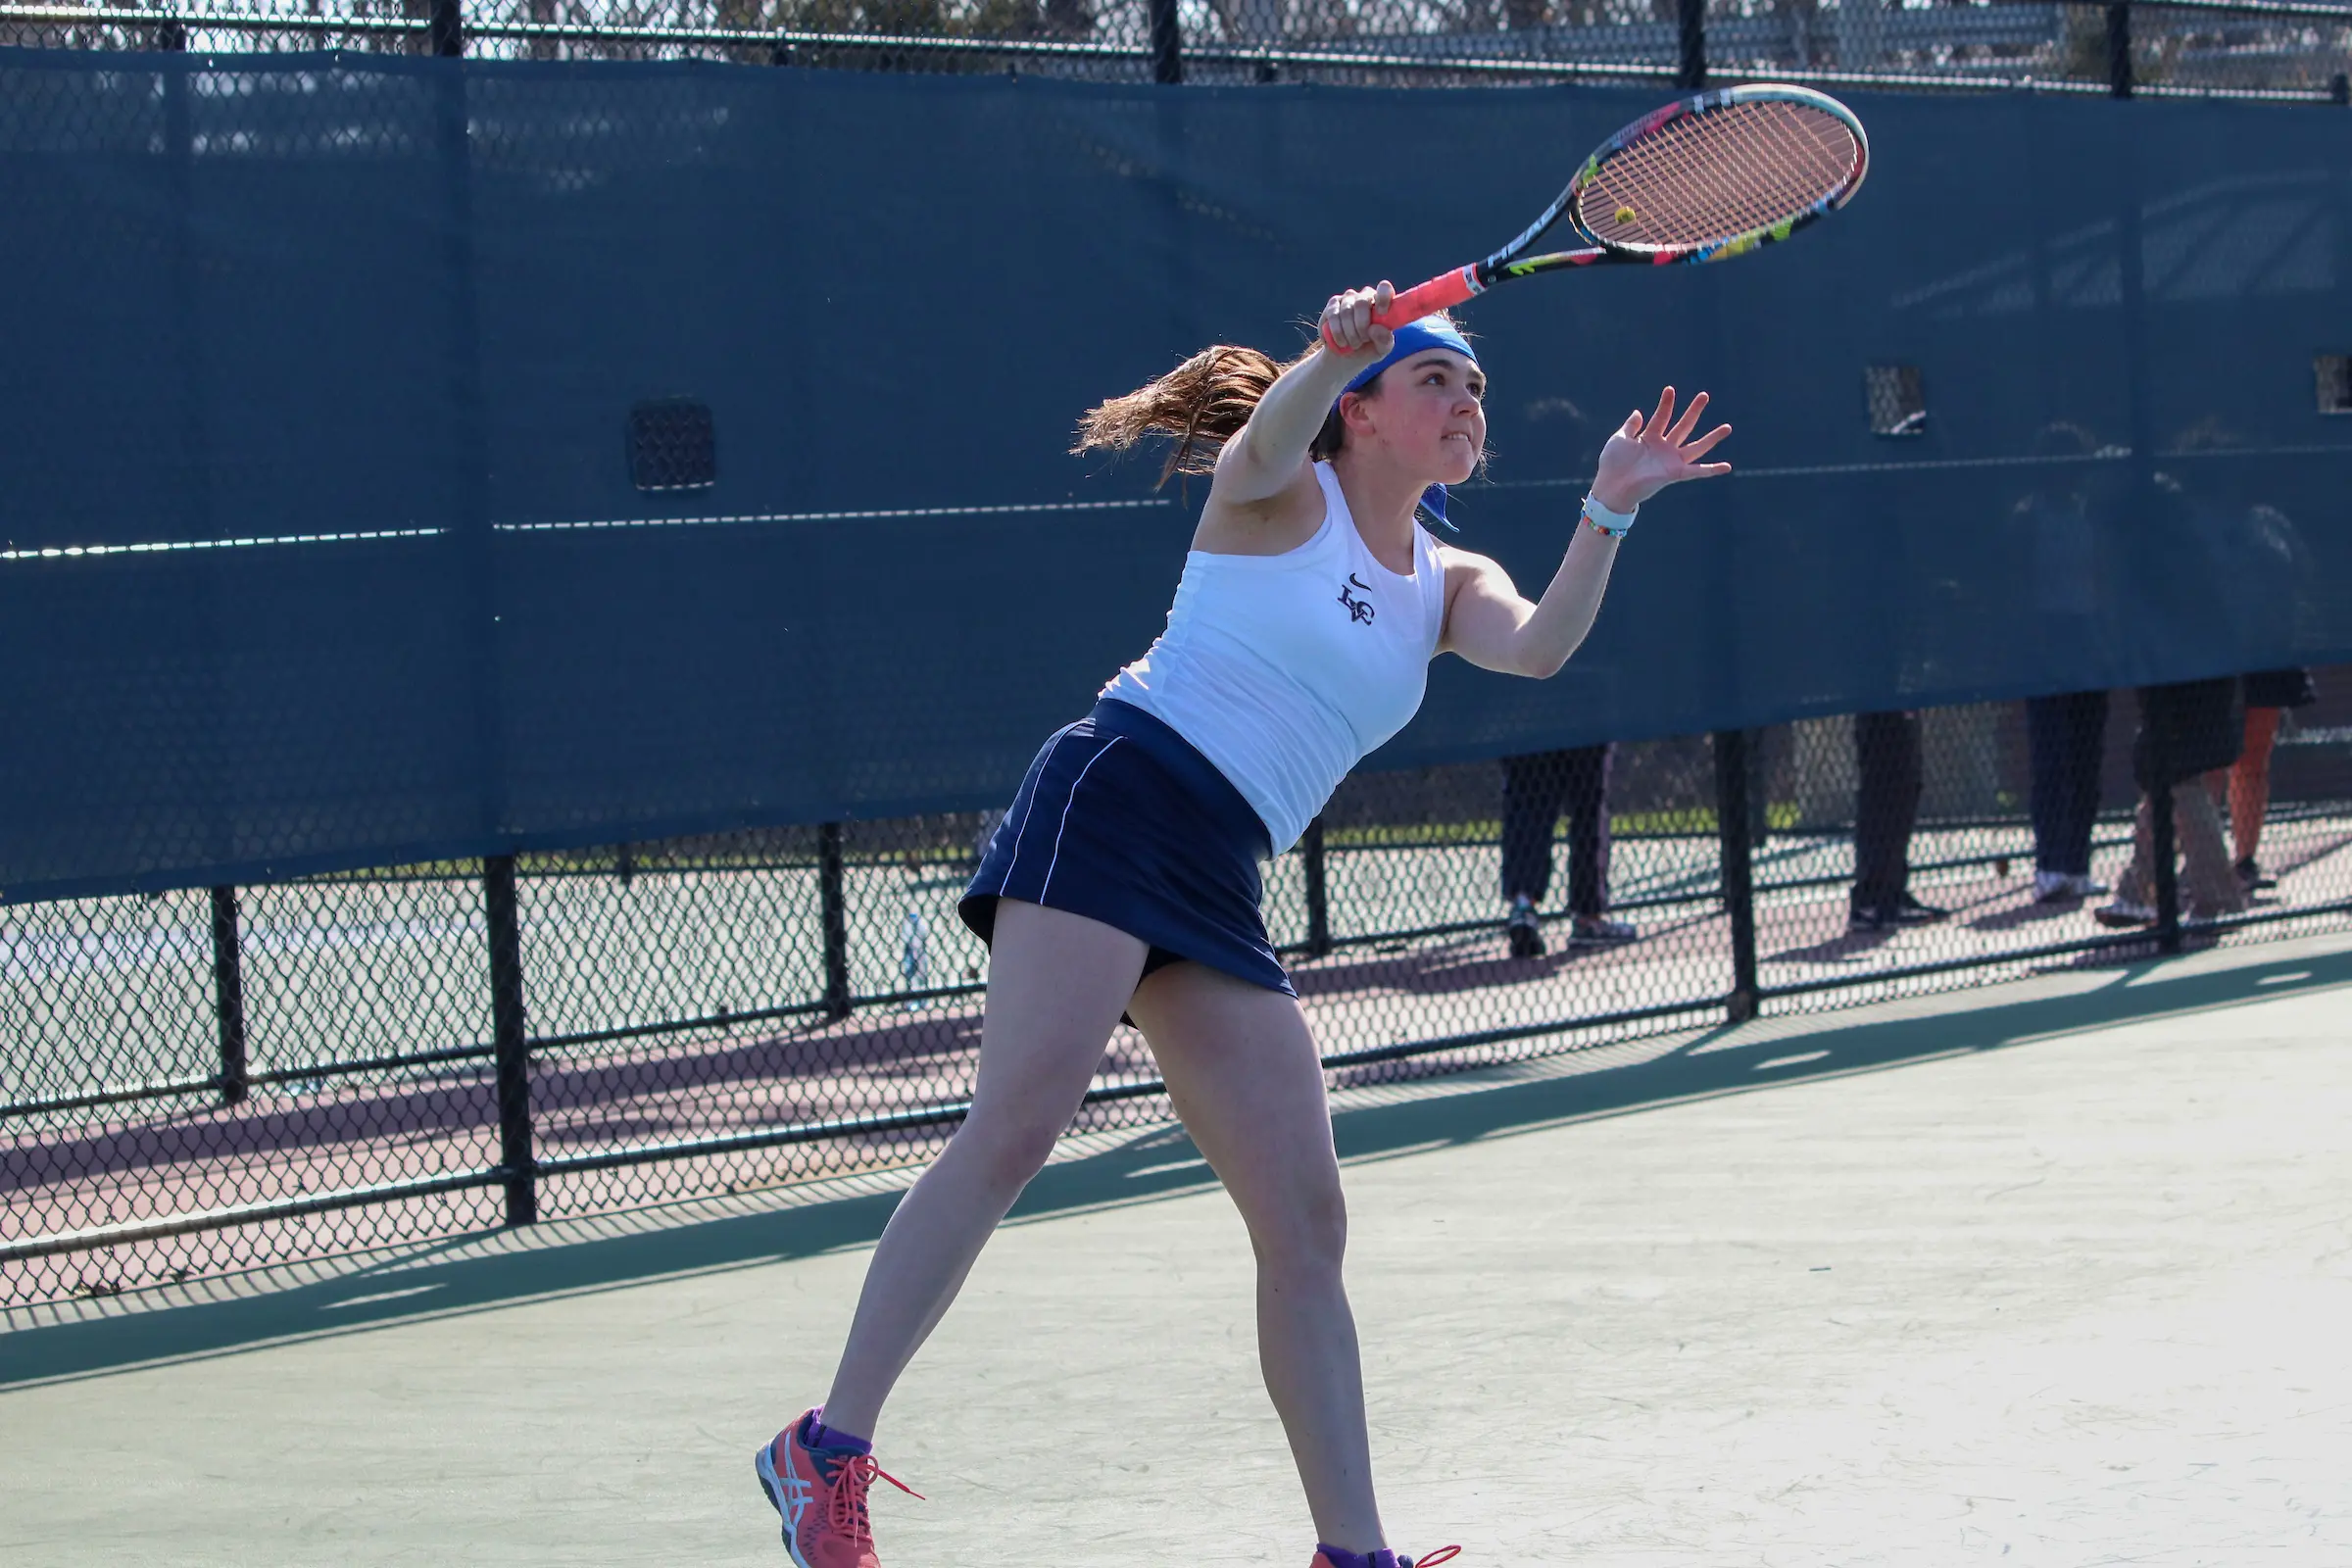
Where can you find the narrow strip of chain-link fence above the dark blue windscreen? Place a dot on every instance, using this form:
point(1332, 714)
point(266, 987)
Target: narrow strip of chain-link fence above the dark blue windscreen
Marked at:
point(2236, 48)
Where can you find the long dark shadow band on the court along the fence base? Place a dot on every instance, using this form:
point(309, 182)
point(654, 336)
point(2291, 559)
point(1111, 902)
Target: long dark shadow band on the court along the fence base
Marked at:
point(1725, 1061)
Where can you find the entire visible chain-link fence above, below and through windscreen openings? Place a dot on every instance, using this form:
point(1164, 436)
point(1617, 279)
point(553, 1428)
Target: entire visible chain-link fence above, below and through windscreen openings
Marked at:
point(211, 1080)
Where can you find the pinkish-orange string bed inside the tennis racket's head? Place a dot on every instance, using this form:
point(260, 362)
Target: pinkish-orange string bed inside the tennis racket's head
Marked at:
point(1718, 175)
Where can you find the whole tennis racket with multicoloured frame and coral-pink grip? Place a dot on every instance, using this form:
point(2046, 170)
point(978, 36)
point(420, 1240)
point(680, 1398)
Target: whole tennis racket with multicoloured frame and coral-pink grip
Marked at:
point(1702, 180)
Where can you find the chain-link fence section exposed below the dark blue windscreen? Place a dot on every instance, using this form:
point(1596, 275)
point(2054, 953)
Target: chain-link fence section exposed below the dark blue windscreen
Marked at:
point(201, 1083)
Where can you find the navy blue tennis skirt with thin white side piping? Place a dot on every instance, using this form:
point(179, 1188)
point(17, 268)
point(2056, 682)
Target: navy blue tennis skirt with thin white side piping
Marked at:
point(1125, 824)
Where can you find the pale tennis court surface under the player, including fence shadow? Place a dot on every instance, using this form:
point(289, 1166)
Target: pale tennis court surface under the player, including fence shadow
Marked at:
point(2047, 1273)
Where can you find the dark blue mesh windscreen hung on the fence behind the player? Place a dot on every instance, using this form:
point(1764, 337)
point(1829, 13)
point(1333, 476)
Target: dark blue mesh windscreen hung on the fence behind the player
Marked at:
point(394, 316)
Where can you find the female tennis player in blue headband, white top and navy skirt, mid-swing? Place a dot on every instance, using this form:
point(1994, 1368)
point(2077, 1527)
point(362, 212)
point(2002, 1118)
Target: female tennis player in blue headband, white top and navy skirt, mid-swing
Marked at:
point(1125, 878)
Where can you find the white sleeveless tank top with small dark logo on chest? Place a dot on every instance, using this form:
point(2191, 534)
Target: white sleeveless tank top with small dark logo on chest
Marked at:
point(1288, 669)
